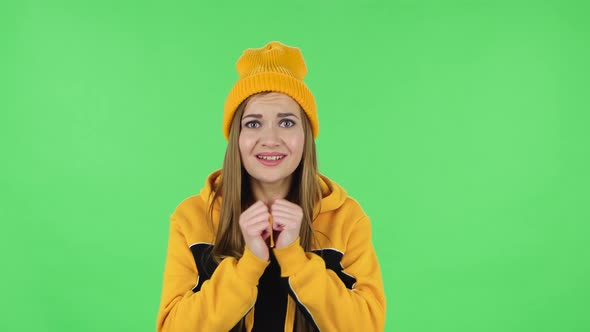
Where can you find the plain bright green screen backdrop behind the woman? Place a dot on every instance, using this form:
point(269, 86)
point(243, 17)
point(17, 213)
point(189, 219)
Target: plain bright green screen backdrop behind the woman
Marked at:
point(462, 128)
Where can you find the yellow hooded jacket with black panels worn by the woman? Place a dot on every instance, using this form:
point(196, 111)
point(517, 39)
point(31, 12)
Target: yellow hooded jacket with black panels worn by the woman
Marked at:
point(337, 284)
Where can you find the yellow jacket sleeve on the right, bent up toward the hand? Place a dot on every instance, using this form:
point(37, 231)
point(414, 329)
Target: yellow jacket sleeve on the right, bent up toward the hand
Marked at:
point(325, 298)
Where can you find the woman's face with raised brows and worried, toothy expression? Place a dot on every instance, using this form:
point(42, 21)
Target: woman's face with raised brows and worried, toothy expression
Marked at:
point(271, 138)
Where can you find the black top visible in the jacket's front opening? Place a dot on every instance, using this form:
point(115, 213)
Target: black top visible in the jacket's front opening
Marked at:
point(271, 304)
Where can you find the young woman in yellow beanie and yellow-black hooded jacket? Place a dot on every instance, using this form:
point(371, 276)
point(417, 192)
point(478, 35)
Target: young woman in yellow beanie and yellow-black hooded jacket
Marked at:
point(270, 244)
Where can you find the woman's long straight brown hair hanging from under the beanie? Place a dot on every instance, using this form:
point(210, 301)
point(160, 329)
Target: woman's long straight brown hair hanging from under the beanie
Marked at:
point(234, 189)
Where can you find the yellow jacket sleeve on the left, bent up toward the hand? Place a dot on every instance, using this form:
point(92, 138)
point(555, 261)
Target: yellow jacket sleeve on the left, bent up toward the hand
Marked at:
point(222, 300)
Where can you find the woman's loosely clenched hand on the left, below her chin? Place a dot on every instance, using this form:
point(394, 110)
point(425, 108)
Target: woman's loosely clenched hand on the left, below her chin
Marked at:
point(255, 227)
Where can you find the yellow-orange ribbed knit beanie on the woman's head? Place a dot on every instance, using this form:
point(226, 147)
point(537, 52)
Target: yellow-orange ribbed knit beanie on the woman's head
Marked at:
point(274, 67)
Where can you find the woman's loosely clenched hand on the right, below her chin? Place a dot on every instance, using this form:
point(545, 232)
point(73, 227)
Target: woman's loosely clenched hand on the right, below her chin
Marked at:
point(286, 219)
